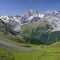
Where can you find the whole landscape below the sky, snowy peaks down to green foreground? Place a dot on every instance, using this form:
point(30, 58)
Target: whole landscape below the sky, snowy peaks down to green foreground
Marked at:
point(32, 36)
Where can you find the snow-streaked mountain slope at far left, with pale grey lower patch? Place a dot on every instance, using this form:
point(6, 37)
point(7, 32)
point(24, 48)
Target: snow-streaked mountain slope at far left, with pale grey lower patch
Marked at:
point(12, 21)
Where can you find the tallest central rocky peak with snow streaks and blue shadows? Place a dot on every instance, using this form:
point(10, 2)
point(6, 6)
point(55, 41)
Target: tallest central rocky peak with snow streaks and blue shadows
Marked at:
point(31, 16)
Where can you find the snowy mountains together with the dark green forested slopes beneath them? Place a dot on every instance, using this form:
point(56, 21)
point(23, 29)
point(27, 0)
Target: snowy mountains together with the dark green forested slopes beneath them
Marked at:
point(33, 26)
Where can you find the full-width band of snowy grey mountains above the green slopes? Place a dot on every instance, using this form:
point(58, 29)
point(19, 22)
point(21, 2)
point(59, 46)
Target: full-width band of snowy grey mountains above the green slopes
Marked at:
point(53, 17)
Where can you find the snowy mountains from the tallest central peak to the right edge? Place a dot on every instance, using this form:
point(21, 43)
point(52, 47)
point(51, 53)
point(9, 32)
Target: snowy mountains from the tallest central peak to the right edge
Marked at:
point(33, 16)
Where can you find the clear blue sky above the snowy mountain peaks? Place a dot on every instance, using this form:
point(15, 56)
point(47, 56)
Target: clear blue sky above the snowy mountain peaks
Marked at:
point(19, 7)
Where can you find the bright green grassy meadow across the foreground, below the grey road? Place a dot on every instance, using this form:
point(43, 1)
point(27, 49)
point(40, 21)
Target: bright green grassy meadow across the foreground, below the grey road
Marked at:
point(41, 52)
